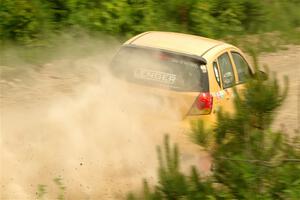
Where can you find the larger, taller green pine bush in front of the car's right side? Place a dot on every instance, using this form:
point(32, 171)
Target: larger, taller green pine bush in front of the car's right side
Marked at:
point(249, 158)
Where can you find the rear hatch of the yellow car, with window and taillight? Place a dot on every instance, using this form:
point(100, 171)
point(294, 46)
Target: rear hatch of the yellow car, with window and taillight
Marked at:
point(176, 81)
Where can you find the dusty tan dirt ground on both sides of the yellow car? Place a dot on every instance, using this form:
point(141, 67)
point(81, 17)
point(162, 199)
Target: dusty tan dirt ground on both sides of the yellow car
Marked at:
point(70, 119)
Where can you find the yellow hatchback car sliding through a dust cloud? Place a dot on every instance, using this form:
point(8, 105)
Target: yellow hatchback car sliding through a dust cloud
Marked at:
point(194, 74)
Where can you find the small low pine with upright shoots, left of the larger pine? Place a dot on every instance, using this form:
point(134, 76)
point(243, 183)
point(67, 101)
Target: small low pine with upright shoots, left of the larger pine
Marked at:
point(173, 184)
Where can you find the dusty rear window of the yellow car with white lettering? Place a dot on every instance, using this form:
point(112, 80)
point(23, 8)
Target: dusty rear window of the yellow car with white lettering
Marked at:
point(160, 69)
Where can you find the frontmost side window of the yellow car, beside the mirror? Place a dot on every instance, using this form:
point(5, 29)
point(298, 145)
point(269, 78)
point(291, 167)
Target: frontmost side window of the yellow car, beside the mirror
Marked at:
point(242, 67)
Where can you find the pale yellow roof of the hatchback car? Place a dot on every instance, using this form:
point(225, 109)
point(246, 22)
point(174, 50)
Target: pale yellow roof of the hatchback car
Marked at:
point(178, 42)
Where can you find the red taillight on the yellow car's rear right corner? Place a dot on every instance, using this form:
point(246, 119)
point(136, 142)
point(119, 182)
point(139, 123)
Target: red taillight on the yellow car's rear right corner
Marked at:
point(202, 105)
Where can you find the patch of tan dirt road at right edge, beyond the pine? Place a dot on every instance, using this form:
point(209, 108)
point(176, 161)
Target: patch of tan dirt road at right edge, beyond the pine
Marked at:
point(286, 63)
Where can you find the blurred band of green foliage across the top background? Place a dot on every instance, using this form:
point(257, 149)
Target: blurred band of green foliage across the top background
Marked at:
point(29, 22)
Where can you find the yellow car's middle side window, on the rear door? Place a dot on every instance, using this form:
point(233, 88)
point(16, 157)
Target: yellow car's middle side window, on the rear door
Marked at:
point(226, 70)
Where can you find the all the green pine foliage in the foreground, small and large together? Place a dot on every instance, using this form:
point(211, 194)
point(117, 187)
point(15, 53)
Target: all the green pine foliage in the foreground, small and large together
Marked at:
point(250, 161)
